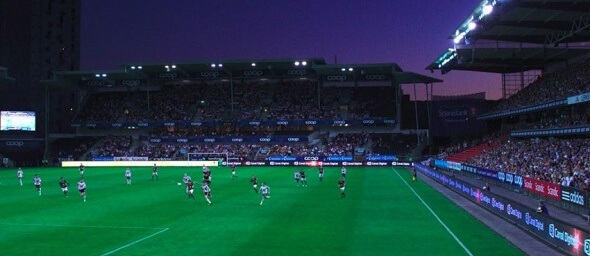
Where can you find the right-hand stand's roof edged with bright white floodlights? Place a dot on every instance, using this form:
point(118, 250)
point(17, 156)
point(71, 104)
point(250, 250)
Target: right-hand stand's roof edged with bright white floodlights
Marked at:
point(505, 36)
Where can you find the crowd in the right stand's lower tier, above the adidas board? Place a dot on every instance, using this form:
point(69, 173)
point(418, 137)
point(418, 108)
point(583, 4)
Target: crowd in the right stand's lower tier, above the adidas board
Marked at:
point(562, 161)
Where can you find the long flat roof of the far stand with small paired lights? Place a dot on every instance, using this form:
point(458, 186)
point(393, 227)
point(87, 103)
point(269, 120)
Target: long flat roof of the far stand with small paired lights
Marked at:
point(186, 72)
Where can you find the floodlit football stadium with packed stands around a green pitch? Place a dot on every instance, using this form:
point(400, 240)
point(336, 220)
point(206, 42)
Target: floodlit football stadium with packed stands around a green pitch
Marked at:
point(299, 156)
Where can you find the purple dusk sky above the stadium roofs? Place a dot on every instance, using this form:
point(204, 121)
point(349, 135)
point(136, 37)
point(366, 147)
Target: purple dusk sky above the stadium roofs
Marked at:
point(411, 33)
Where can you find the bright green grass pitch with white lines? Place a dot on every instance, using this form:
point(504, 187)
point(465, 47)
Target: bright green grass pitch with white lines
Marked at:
point(381, 215)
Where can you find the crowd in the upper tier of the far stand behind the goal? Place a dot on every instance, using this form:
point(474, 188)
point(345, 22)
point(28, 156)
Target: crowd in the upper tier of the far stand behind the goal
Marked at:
point(251, 100)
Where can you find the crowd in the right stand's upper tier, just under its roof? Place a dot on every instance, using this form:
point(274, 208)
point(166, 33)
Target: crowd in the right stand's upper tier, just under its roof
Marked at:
point(557, 85)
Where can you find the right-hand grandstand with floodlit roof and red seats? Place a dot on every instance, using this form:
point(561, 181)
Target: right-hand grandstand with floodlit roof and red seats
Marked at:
point(536, 145)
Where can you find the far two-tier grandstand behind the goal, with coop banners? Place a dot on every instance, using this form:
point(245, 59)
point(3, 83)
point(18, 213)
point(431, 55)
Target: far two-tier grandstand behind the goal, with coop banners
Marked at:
point(246, 110)
